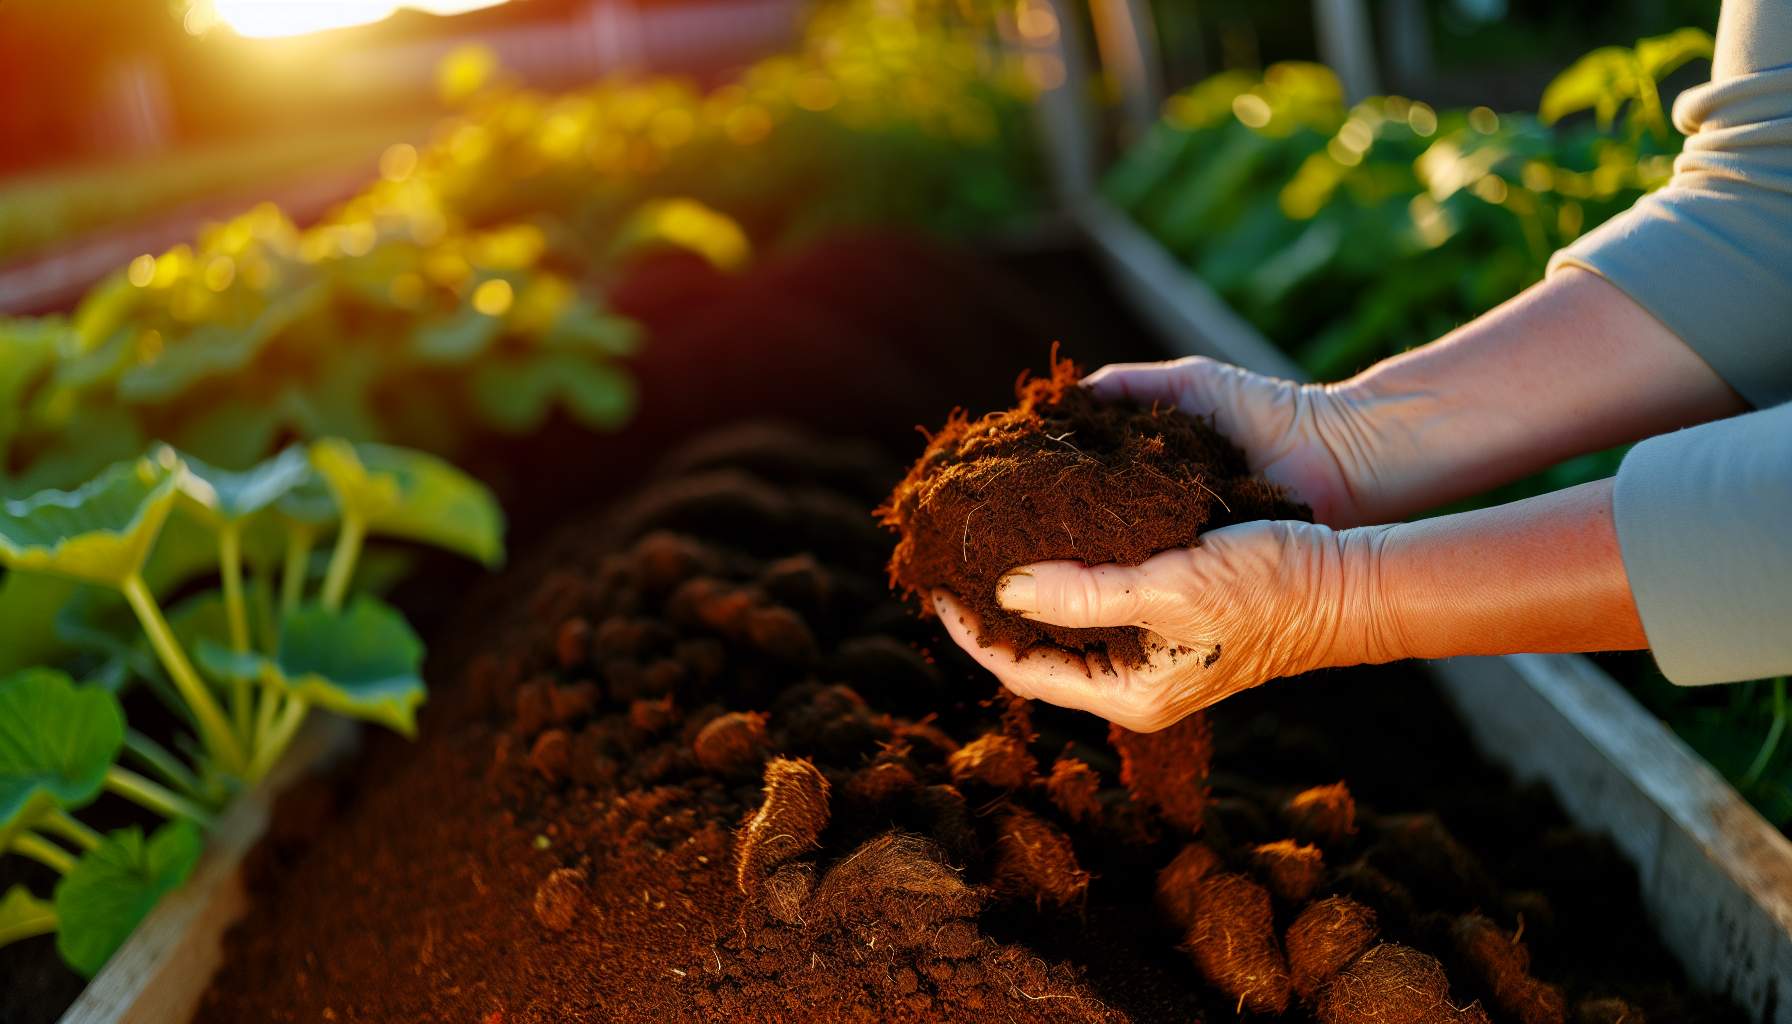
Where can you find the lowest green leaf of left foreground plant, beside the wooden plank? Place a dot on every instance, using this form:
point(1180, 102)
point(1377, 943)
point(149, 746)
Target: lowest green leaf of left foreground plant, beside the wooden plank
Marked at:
point(114, 889)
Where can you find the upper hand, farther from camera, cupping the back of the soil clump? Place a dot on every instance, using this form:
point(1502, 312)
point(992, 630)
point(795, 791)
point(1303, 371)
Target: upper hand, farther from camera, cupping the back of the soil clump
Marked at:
point(1323, 442)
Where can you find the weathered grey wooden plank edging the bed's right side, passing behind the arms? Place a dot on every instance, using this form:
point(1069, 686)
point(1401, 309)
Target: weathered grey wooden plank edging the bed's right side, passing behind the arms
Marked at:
point(1716, 876)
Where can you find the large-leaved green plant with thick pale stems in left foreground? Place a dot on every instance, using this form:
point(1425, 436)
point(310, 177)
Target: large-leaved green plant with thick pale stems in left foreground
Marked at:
point(246, 691)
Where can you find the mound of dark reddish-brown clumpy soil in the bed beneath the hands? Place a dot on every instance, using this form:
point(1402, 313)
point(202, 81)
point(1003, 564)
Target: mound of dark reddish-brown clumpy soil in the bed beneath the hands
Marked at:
point(693, 761)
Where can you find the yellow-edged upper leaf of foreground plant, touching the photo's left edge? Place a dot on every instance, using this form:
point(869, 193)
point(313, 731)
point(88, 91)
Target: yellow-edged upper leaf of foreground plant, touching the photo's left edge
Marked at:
point(99, 534)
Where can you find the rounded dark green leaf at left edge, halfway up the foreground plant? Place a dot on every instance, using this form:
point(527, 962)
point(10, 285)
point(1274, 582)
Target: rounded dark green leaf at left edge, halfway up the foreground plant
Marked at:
point(56, 743)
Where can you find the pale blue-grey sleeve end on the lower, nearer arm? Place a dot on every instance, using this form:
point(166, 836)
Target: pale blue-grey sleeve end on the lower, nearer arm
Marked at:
point(1703, 526)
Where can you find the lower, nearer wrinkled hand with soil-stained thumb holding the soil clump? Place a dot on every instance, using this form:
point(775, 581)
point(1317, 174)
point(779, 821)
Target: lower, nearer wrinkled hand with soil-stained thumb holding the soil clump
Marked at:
point(1252, 603)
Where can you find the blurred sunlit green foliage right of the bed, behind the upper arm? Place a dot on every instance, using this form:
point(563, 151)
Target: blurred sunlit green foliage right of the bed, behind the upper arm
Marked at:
point(1350, 234)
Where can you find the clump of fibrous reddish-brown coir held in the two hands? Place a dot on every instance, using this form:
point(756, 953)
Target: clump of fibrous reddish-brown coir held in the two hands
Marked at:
point(1064, 476)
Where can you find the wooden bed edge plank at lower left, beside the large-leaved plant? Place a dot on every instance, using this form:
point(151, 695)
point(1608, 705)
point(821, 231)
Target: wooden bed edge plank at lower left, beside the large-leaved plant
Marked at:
point(162, 971)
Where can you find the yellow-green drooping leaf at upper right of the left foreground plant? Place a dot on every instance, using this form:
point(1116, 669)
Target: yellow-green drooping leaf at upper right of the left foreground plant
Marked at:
point(408, 494)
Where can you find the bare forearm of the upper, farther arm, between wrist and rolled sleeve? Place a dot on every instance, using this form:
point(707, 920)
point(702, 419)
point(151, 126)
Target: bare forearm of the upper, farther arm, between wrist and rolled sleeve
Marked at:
point(1571, 367)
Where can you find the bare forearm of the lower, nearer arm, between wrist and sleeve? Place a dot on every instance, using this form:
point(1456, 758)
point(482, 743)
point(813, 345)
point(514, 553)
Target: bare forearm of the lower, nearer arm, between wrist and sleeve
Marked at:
point(1535, 577)
